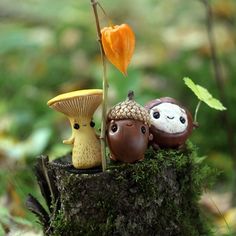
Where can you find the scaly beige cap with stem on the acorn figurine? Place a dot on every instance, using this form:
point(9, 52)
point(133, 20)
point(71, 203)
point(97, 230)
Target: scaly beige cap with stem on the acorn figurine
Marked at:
point(129, 109)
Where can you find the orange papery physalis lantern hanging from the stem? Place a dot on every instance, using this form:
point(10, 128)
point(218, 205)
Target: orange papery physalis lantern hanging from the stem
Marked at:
point(118, 43)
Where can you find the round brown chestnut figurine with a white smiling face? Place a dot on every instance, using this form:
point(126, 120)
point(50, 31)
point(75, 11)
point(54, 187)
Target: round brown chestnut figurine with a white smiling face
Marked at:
point(171, 123)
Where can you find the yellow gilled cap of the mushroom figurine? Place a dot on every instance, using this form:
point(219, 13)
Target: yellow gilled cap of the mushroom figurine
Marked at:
point(77, 103)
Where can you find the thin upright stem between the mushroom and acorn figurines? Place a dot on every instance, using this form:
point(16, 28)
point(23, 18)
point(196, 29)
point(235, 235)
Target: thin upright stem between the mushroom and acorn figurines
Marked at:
point(105, 87)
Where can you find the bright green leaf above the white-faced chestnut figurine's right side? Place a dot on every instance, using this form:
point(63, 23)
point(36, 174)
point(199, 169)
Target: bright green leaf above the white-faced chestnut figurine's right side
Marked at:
point(204, 95)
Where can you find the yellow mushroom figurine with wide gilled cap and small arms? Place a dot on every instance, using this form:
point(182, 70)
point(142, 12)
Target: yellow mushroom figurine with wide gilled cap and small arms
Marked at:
point(79, 106)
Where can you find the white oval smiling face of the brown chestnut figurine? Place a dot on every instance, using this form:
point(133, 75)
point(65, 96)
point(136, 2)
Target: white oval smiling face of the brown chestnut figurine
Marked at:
point(169, 118)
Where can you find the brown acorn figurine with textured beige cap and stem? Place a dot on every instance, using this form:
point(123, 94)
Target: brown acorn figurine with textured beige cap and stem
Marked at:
point(128, 131)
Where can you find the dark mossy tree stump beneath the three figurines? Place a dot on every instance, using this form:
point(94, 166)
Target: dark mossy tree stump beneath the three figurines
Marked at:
point(158, 196)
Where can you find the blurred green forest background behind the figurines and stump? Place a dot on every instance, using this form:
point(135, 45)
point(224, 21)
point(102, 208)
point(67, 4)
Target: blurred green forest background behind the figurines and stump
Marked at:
point(50, 47)
